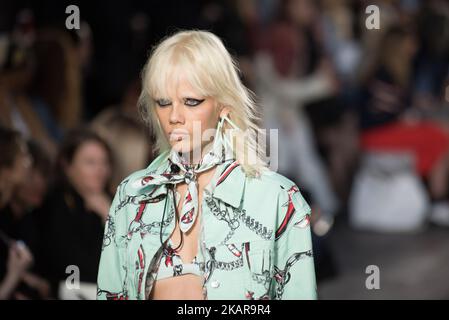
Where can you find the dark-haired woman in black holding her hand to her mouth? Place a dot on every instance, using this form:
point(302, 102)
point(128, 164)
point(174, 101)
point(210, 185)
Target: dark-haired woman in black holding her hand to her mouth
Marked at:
point(72, 218)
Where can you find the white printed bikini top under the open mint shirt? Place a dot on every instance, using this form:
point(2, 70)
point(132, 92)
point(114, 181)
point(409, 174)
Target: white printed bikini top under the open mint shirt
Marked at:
point(171, 264)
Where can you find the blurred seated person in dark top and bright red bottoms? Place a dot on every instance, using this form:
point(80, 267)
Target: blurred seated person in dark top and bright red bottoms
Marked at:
point(390, 122)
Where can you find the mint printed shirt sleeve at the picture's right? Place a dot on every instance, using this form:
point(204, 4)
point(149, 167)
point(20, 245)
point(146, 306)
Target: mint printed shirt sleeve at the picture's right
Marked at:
point(294, 271)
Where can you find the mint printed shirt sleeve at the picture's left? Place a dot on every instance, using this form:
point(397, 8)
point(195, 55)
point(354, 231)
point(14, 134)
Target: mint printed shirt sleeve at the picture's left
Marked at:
point(109, 280)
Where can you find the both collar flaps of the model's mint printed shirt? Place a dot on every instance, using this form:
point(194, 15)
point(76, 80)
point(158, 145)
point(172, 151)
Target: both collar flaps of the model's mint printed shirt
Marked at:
point(229, 187)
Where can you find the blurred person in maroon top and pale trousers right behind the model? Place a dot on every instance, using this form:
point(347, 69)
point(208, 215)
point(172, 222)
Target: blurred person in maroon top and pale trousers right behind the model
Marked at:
point(292, 71)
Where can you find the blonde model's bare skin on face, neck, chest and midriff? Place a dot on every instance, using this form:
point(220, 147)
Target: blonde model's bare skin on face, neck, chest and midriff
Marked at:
point(180, 109)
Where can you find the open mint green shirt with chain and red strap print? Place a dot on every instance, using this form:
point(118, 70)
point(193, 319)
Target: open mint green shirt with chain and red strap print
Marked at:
point(255, 238)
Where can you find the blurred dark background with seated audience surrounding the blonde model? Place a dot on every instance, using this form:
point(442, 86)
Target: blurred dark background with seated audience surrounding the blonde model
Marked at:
point(362, 114)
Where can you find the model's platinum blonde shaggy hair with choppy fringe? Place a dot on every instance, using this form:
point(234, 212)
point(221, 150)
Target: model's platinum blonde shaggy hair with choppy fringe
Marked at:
point(213, 72)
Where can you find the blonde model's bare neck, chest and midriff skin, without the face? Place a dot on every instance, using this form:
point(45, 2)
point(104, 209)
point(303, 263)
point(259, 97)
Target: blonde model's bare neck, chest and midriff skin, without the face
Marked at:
point(189, 286)
